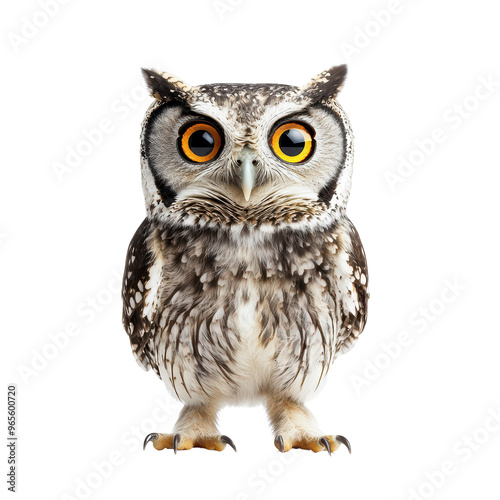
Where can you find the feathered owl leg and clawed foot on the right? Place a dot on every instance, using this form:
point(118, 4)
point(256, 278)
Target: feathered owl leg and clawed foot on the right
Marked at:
point(295, 427)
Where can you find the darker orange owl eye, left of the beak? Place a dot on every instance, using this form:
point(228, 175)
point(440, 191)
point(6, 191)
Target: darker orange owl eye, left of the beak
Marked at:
point(200, 142)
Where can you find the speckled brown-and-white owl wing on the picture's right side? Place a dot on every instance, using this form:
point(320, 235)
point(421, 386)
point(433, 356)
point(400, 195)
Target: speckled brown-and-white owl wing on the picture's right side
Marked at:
point(352, 282)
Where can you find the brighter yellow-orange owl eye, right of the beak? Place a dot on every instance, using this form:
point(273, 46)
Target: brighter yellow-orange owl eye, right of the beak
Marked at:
point(293, 142)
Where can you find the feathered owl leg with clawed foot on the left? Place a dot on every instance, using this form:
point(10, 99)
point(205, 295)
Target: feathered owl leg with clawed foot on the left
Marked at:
point(195, 428)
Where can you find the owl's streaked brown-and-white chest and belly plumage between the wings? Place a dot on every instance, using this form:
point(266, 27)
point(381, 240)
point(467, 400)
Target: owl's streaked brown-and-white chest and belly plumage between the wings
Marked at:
point(242, 312)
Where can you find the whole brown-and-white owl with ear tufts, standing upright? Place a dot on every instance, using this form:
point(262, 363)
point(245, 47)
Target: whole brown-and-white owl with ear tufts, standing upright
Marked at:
point(246, 279)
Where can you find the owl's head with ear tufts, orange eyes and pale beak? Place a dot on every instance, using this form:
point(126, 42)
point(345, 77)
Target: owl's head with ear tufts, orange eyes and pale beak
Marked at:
point(235, 153)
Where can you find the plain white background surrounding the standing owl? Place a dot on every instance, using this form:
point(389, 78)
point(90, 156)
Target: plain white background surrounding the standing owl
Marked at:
point(63, 242)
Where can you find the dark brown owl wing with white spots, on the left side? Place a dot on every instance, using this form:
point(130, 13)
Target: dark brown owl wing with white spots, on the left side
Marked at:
point(141, 293)
